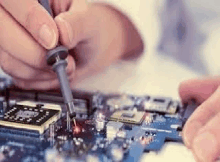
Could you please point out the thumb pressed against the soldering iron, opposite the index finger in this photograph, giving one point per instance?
(71, 24)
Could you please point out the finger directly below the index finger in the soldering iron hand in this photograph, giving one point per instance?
(19, 43)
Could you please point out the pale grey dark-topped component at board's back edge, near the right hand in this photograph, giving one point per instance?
(160, 104)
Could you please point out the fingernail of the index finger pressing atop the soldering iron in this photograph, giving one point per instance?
(47, 36)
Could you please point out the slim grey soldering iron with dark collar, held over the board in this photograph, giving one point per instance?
(56, 58)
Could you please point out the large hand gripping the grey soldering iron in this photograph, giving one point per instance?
(96, 35)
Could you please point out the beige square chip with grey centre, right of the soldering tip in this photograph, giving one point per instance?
(126, 116)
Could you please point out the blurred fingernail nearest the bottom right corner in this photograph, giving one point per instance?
(205, 145)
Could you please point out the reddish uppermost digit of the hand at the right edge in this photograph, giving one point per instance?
(199, 89)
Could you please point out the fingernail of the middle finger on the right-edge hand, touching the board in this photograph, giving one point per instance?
(190, 131)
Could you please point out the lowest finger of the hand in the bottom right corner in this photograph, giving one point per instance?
(206, 144)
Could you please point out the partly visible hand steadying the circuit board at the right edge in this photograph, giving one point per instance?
(201, 133)
